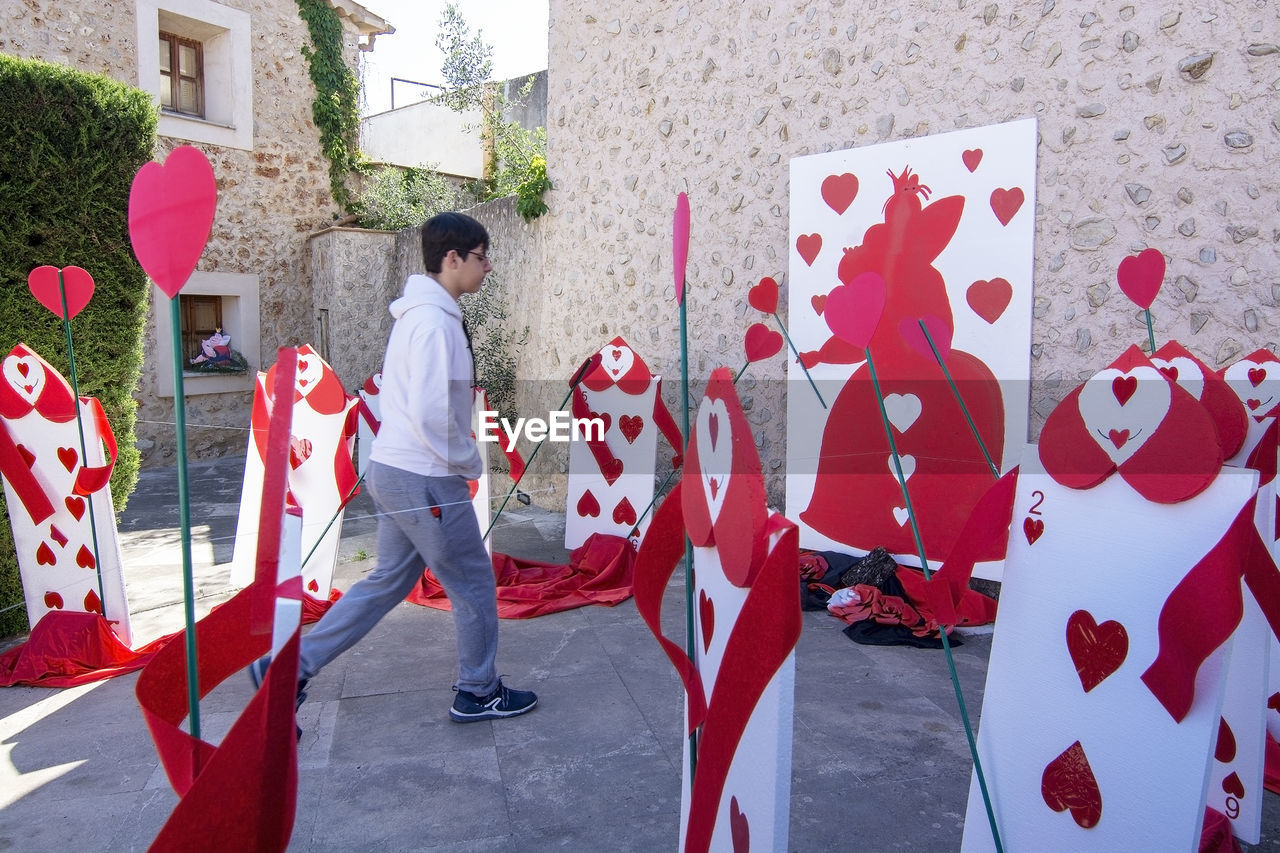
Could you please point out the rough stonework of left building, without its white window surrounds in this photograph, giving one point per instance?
(269, 199)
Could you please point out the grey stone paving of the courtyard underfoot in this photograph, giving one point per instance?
(880, 758)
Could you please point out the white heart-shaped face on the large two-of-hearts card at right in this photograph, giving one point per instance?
(1122, 410)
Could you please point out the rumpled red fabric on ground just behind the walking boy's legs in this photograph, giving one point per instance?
(600, 572)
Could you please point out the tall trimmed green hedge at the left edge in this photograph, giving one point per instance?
(74, 143)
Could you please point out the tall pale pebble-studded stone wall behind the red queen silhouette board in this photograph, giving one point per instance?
(1159, 126)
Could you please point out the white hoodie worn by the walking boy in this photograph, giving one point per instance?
(427, 387)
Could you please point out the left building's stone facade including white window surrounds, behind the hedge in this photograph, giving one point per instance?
(273, 179)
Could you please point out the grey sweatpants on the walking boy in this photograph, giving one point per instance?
(410, 539)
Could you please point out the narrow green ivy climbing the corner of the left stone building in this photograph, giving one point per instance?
(337, 107)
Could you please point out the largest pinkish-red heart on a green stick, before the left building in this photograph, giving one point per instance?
(171, 212)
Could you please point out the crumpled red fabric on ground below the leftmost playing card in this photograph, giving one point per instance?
(68, 649)
